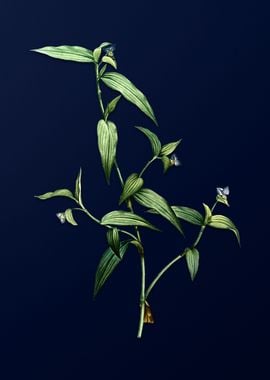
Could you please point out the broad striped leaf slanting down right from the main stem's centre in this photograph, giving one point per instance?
(150, 198)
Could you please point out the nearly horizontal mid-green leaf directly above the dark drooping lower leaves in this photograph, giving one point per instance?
(125, 218)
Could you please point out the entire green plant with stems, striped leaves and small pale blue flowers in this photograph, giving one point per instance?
(124, 227)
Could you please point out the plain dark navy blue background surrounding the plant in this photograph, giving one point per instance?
(204, 67)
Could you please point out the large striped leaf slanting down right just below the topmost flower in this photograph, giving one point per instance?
(130, 92)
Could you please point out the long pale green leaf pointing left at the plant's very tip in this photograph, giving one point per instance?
(68, 53)
